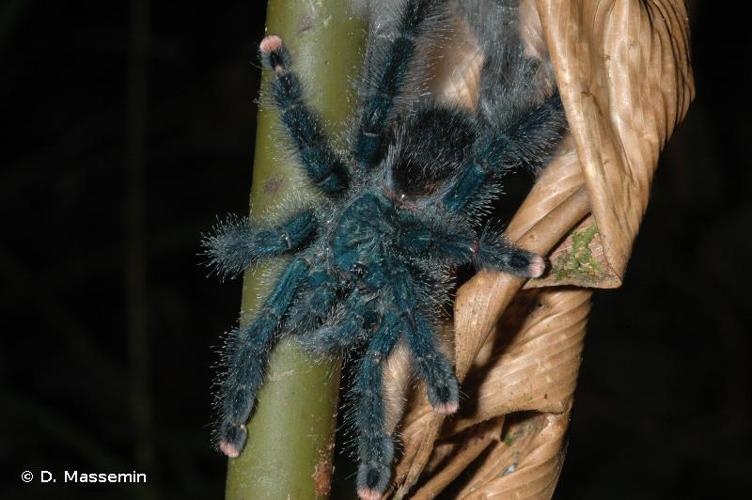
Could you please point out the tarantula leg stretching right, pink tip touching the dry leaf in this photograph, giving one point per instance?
(456, 245)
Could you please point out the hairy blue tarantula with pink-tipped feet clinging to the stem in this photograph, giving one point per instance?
(404, 210)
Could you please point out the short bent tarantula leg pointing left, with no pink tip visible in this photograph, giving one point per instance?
(236, 244)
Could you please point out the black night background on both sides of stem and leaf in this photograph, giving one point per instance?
(663, 402)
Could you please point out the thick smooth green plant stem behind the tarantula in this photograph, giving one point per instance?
(291, 432)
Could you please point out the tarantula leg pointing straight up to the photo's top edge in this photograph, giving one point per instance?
(390, 78)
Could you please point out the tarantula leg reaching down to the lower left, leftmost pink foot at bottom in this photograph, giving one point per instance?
(248, 353)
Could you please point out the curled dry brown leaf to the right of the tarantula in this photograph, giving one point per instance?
(623, 71)
